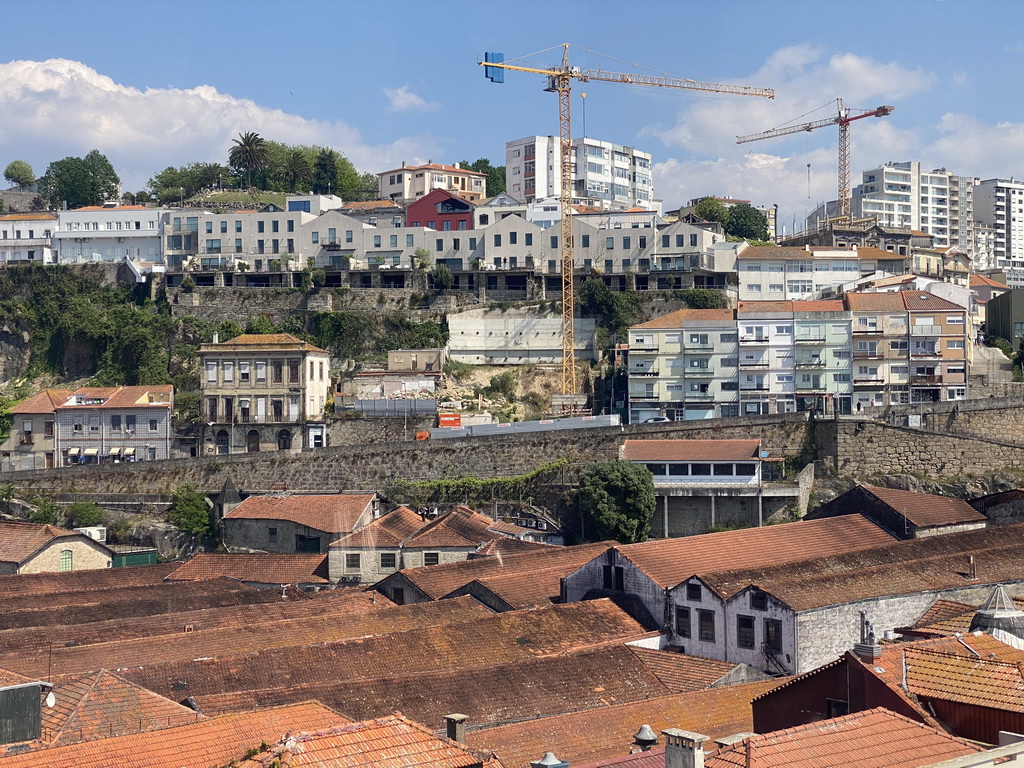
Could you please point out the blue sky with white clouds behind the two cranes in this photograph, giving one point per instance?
(153, 84)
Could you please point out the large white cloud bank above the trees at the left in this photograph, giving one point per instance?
(53, 109)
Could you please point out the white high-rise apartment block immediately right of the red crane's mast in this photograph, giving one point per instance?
(936, 202)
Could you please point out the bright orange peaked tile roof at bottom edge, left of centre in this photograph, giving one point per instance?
(388, 743)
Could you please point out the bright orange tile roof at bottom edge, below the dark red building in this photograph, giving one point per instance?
(874, 739)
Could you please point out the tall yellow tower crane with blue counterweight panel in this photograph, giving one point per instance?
(560, 81)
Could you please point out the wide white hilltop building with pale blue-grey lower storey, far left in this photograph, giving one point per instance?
(108, 234)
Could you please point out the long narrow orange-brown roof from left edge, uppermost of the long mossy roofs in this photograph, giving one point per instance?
(335, 623)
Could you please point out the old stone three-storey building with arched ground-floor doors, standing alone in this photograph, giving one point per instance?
(264, 393)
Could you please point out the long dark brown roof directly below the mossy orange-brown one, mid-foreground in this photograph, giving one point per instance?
(499, 694)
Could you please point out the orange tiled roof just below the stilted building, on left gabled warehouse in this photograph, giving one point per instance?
(670, 562)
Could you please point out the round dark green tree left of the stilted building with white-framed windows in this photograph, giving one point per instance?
(617, 498)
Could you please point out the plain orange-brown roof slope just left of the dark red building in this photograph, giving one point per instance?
(608, 733)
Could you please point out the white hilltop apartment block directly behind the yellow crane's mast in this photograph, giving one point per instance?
(606, 176)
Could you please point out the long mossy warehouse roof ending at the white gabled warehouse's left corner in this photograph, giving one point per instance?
(475, 644)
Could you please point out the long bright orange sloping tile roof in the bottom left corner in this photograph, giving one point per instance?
(211, 743)
